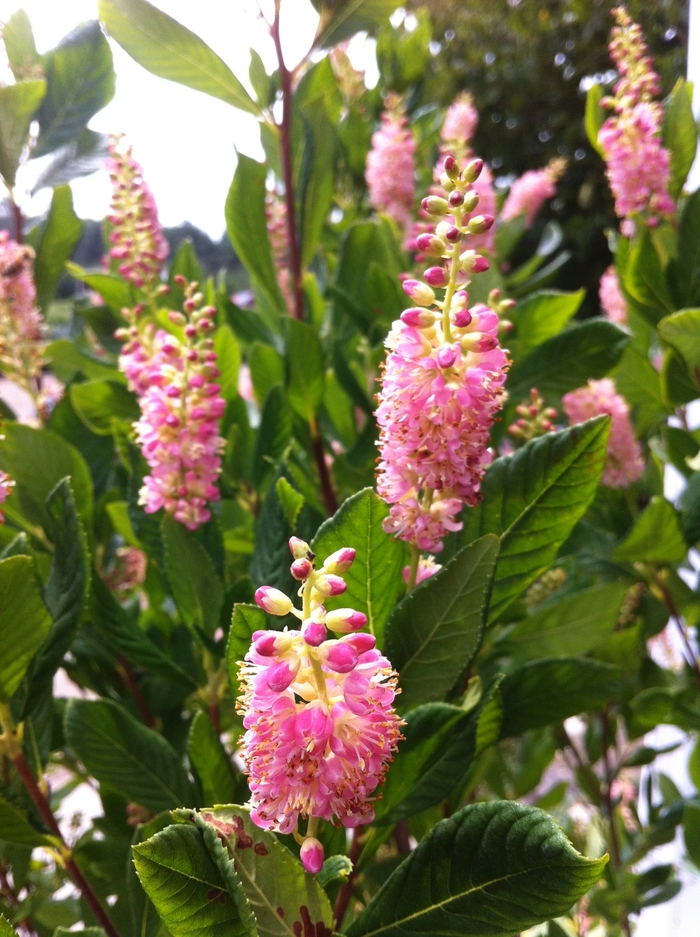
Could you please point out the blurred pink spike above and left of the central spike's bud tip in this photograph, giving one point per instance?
(390, 170)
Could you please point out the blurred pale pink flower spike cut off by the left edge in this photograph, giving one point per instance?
(21, 341)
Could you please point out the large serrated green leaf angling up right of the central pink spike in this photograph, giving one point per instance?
(533, 500)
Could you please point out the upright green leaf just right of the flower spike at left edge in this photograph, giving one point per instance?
(58, 240)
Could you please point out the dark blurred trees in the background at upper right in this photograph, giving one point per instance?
(528, 65)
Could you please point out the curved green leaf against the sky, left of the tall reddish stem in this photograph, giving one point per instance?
(247, 226)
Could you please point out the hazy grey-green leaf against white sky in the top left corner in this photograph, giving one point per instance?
(80, 81)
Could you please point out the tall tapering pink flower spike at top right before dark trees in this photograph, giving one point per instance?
(638, 165)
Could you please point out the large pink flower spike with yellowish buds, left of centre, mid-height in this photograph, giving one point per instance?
(175, 378)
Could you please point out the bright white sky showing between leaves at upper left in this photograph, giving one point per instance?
(184, 139)
